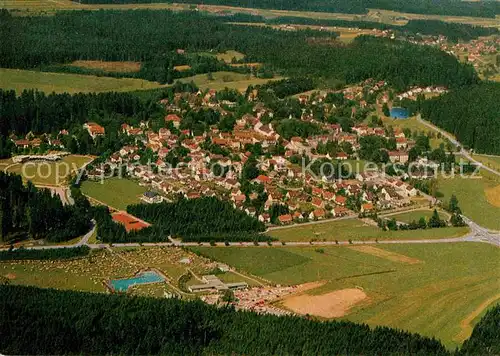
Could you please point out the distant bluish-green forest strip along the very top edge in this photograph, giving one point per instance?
(440, 7)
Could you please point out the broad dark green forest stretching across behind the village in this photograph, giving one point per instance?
(34, 42)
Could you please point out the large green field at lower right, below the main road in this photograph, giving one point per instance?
(435, 297)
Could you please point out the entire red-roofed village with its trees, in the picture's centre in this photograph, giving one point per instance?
(214, 161)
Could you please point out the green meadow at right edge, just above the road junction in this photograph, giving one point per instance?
(472, 199)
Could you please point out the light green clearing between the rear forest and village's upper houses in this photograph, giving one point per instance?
(223, 80)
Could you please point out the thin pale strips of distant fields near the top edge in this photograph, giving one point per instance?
(384, 16)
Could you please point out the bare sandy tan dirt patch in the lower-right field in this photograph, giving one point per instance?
(335, 304)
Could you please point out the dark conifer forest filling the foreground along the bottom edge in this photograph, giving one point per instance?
(45, 321)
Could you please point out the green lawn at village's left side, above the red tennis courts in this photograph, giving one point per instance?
(115, 192)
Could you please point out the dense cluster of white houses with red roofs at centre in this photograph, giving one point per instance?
(305, 196)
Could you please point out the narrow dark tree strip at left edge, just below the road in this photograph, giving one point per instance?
(46, 254)
